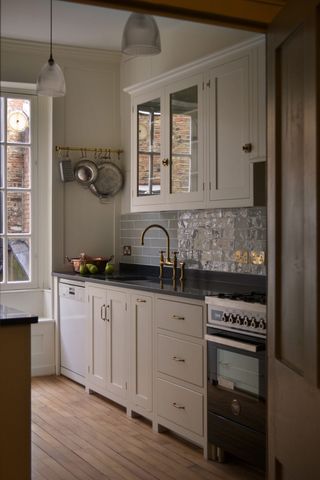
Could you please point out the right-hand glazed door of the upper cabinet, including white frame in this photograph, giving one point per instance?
(184, 173)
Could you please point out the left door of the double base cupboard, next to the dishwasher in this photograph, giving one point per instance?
(97, 336)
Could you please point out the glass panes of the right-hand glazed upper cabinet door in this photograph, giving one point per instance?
(184, 153)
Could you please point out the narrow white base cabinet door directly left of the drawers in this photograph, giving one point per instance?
(141, 351)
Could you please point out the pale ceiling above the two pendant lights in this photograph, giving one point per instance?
(73, 23)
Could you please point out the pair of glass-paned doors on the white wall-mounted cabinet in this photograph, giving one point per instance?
(168, 156)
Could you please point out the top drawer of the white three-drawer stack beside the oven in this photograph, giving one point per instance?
(180, 317)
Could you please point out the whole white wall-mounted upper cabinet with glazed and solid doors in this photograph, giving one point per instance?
(198, 134)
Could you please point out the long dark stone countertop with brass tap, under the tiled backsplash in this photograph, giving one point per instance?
(197, 285)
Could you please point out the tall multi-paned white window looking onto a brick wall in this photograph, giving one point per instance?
(17, 189)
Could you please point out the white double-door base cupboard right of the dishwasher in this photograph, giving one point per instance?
(108, 360)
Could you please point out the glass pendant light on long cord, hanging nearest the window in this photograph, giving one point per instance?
(51, 81)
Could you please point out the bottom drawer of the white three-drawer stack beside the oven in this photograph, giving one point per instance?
(181, 406)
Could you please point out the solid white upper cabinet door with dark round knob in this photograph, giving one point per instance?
(229, 131)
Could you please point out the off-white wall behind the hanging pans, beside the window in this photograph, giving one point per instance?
(87, 116)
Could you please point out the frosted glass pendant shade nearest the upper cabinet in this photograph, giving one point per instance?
(141, 36)
